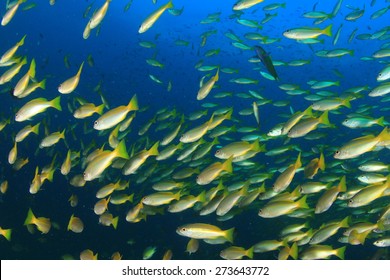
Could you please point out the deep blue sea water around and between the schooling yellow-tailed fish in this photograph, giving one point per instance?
(54, 32)
